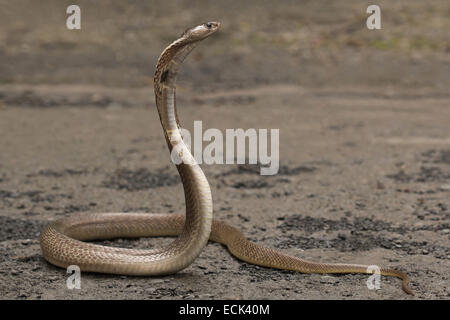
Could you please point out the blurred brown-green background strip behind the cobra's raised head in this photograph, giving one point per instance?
(309, 43)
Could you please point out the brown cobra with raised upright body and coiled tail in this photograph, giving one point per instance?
(62, 241)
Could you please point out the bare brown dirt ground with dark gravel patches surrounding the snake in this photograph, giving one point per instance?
(364, 119)
